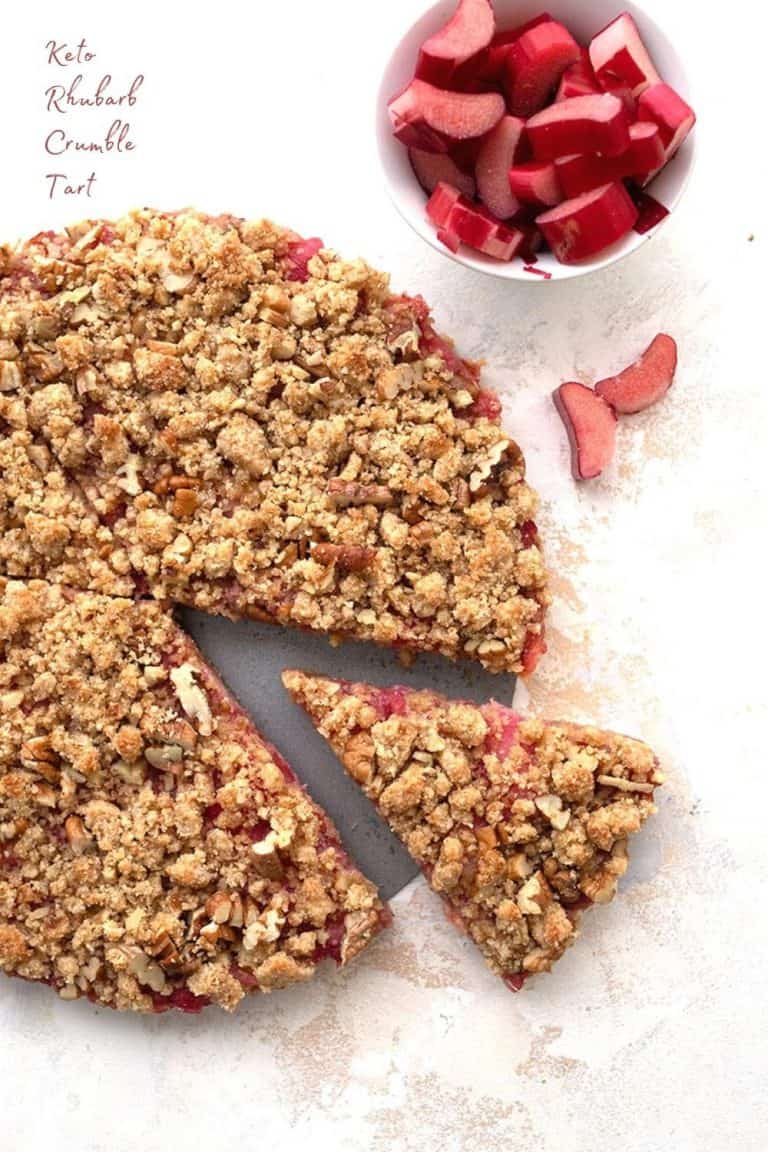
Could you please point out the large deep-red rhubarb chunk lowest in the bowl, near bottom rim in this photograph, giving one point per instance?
(589, 224)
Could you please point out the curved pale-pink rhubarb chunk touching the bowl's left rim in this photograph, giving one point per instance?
(427, 118)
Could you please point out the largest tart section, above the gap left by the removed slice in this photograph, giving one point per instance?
(268, 431)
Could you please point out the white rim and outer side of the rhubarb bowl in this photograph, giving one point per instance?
(515, 271)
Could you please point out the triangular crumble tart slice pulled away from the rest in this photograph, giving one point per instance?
(519, 824)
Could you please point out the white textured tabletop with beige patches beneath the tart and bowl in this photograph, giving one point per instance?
(650, 1035)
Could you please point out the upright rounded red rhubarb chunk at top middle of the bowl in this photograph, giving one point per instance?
(535, 64)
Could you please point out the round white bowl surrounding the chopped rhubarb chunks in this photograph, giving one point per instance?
(583, 19)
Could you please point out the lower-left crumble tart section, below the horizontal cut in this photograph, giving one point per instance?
(155, 852)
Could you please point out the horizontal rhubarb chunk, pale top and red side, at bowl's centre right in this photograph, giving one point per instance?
(584, 124)
